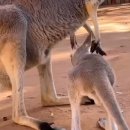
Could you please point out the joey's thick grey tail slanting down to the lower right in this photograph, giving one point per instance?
(107, 96)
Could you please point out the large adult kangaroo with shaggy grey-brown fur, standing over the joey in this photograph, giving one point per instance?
(29, 29)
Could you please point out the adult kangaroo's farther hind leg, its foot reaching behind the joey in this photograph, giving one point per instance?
(48, 92)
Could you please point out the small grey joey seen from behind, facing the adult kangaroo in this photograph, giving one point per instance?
(92, 76)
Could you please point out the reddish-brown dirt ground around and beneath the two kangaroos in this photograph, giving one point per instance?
(115, 34)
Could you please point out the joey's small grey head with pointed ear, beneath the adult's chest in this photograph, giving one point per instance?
(81, 51)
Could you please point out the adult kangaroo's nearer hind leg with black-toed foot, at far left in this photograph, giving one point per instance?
(13, 58)
